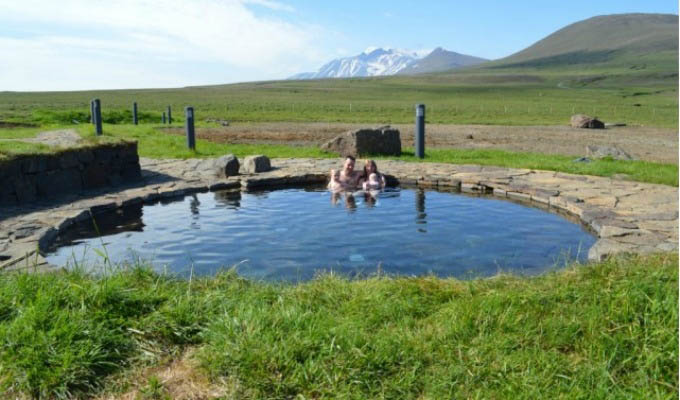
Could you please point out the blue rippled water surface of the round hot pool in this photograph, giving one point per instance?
(292, 234)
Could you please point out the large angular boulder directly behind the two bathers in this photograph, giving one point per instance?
(383, 140)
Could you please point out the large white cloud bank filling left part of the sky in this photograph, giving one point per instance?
(146, 43)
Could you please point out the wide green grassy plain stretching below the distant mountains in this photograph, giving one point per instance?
(520, 96)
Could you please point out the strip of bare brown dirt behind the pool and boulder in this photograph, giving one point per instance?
(651, 144)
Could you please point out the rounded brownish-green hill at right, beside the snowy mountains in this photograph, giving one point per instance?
(608, 39)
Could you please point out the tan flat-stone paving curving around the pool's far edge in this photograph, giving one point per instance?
(626, 216)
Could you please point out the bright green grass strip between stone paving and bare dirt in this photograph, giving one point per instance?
(153, 143)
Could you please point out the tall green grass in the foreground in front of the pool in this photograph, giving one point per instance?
(607, 330)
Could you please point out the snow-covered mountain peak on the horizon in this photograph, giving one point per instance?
(372, 62)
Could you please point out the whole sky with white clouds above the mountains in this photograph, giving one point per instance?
(102, 44)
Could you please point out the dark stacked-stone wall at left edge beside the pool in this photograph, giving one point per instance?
(27, 178)
